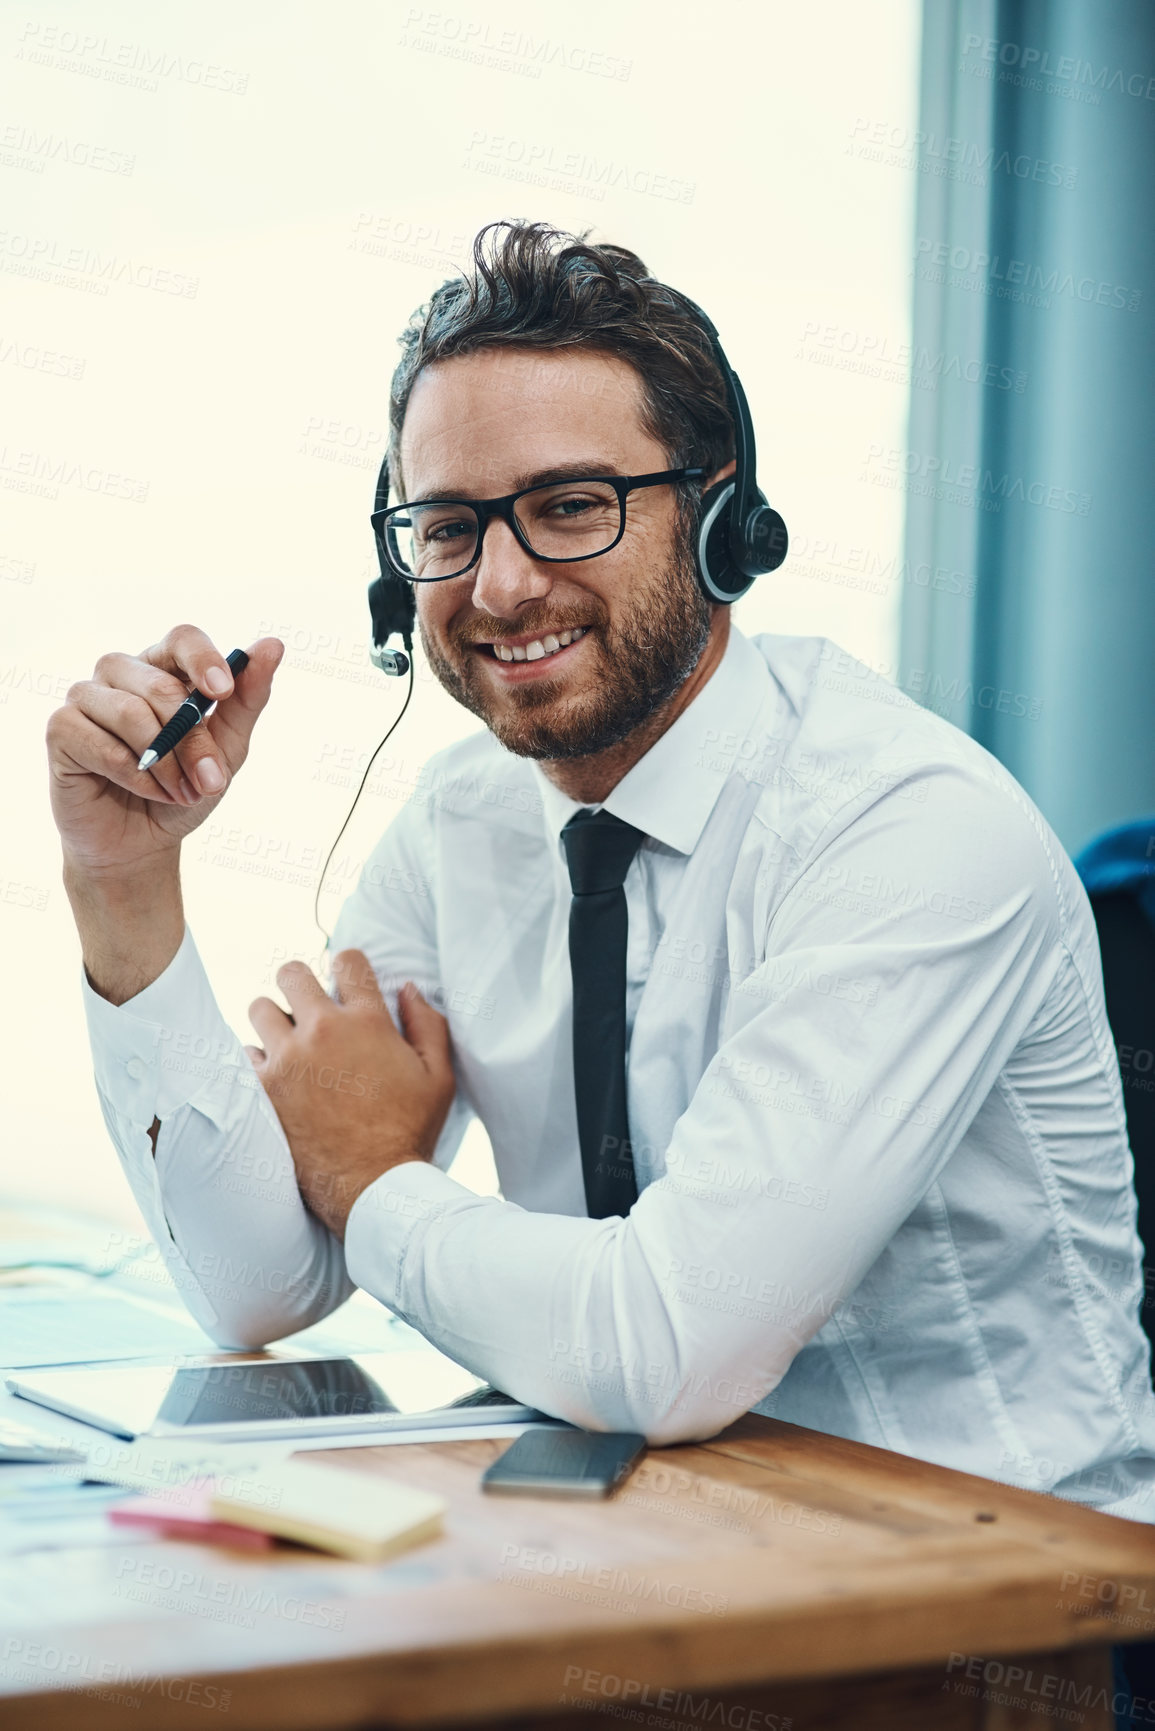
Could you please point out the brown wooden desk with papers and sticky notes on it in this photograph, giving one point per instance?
(770, 1576)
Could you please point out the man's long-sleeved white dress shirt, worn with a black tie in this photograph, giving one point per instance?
(886, 1181)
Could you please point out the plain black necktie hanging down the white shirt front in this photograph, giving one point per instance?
(600, 849)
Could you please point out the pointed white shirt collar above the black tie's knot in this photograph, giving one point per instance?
(676, 785)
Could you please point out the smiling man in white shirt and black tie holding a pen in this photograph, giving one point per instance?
(872, 1105)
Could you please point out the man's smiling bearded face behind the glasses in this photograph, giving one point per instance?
(496, 640)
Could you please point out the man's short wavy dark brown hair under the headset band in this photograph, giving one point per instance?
(534, 286)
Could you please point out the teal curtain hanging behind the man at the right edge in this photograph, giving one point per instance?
(1029, 468)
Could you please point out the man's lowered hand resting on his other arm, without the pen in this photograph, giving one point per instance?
(354, 1095)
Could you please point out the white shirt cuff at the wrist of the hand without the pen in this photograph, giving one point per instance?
(385, 1218)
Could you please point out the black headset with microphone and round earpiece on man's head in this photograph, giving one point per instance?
(740, 536)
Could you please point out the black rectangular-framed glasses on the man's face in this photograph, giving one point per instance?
(429, 541)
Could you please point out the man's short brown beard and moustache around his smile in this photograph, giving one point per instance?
(642, 662)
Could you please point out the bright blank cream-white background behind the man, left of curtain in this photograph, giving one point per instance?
(214, 224)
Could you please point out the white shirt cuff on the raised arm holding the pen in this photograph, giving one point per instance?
(167, 1046)
